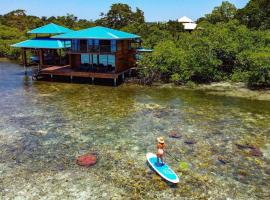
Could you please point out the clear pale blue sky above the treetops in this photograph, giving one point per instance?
(155, 10)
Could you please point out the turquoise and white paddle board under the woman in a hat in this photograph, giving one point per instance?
(164, 171)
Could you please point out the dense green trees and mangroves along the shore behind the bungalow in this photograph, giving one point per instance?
(229, 45)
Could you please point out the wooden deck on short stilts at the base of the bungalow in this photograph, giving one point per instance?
(69, 72)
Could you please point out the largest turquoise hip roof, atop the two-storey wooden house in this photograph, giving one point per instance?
(98, 32)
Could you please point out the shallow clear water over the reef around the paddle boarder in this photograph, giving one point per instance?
(44, 126)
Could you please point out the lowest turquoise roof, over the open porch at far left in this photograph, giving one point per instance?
(43, 43)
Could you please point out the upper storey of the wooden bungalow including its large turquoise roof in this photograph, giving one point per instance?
(100, 40)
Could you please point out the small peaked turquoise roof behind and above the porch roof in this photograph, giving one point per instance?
(50, 29)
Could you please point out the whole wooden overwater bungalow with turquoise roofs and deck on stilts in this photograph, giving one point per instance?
(96, 52)
